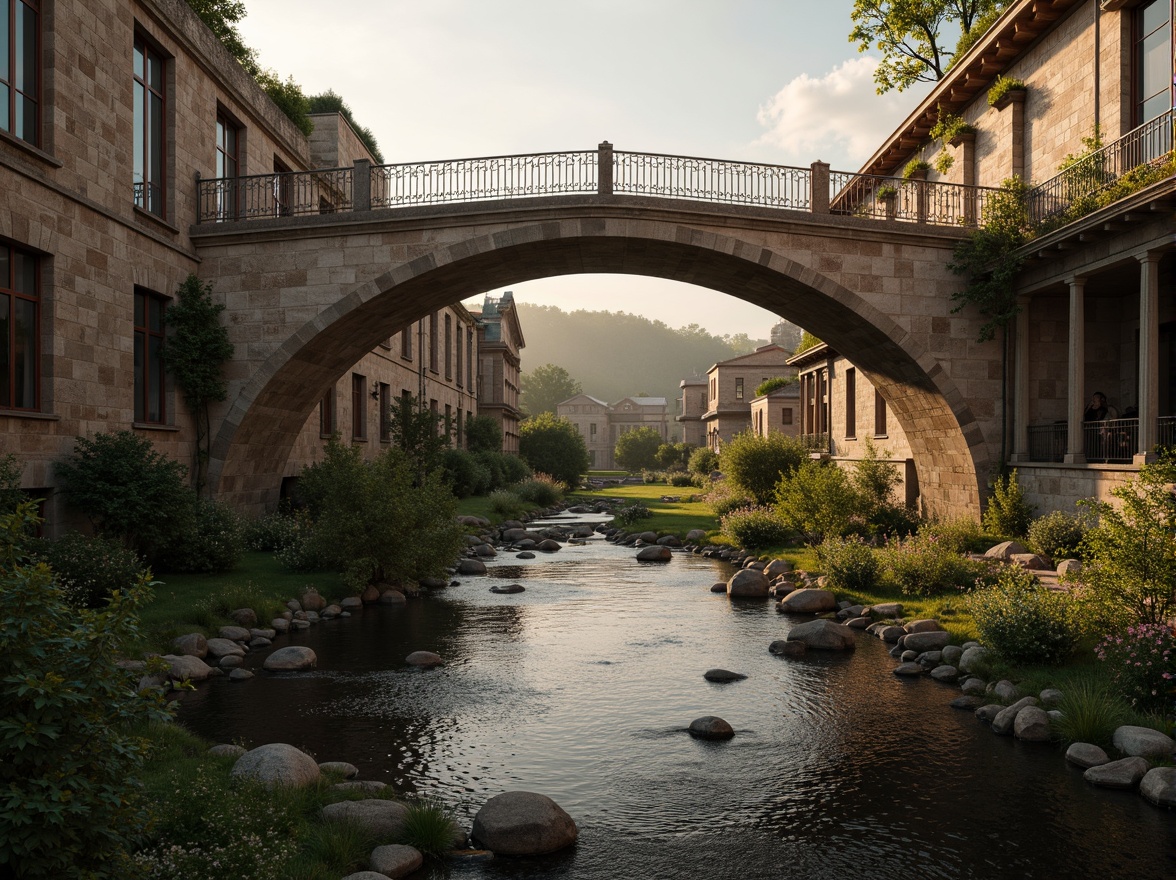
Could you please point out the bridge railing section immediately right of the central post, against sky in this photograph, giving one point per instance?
(716, 181)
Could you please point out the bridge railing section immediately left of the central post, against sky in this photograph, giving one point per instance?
(500, 177)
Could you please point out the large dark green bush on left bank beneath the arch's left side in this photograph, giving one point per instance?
(378, 521)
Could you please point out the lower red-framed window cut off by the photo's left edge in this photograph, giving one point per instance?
(19, 330)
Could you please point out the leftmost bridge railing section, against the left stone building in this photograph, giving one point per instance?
(258, 197)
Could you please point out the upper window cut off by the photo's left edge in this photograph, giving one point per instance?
(21, 86)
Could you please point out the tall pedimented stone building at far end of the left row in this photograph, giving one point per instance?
(499, 342)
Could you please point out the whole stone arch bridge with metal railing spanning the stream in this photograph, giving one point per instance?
(318, 268)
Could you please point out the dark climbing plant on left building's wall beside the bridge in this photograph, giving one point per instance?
(196, 354)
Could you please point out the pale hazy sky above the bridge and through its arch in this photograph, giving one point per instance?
(757, 81)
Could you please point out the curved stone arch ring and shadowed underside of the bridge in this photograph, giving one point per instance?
(257, 432)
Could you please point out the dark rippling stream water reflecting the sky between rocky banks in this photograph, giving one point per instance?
(583, 688)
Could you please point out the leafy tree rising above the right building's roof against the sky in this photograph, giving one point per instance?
(910, 35)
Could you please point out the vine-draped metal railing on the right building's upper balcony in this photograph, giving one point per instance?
(1150, 145)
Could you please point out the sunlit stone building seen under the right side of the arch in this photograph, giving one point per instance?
(843, 415)
